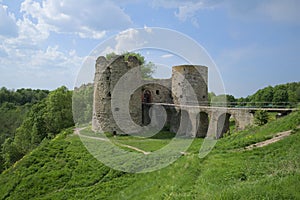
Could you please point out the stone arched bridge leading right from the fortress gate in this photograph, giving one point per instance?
(208, 121)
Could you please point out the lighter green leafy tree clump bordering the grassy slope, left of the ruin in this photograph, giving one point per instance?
(46, 118)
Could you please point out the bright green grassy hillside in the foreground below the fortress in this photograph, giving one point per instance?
(63, 169)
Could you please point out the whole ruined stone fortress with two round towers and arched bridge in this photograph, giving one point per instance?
(187, 111)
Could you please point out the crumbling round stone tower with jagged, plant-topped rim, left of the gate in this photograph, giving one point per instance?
(108, 73)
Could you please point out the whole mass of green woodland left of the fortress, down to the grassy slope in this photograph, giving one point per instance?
(29, 116)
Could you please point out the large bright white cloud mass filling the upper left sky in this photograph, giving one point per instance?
(30, 60)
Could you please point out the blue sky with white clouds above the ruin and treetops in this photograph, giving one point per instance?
(43, 43)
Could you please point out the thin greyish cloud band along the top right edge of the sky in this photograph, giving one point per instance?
(275, 10)
